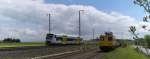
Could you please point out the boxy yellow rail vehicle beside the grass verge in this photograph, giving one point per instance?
(108, 42)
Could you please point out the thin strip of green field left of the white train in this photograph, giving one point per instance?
(4, 45)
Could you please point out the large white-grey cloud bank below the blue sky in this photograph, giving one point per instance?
(28, 20)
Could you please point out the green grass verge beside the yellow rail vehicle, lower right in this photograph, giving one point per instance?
(124, 53)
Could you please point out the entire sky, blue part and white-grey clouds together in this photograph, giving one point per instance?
(28, 19)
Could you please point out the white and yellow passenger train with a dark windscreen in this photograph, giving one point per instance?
(53, 39)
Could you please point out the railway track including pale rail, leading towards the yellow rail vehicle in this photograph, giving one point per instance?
(78, 54)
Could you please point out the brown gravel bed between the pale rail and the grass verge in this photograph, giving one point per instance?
(90, 54)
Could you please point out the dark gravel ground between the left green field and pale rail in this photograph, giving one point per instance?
(29, 53)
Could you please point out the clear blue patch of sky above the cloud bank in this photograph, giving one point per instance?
(126, 7)
